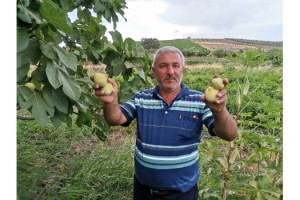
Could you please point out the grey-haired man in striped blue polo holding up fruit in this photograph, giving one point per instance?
(170, 118)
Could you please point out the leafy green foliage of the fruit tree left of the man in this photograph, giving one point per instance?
(52, 51)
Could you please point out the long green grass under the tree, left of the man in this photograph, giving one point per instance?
(70, 163)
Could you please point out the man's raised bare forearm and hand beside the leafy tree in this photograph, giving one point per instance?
(112, 112)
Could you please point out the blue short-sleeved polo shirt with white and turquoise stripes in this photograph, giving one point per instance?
(166, 151)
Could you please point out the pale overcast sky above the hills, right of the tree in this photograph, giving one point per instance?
(173, 19)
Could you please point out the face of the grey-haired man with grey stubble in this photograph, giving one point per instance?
(168, 71)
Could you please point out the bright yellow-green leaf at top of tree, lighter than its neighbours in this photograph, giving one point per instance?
(55, 16)
